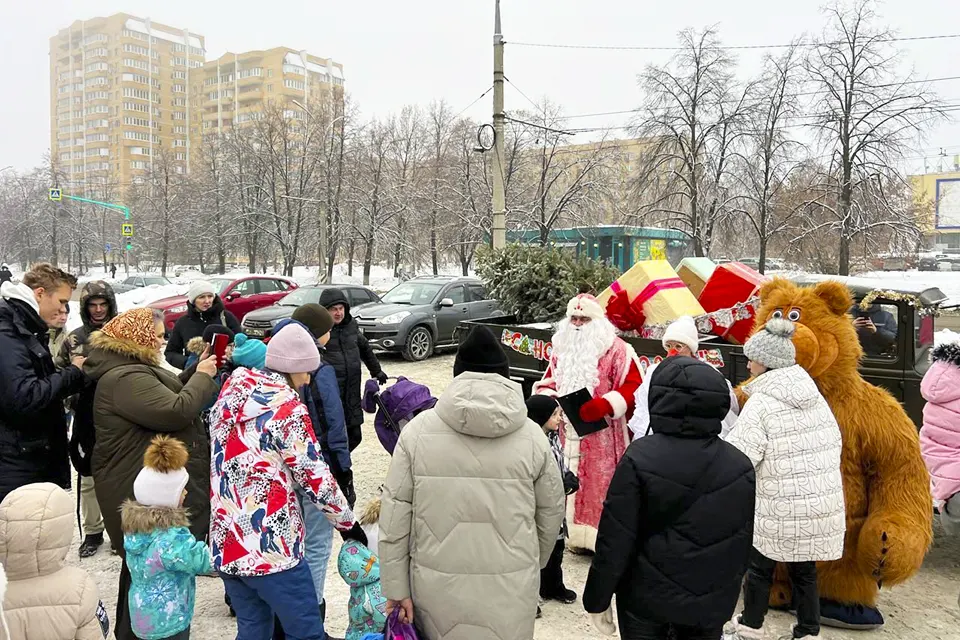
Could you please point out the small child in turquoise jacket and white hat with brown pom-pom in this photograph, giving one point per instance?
(163, 556)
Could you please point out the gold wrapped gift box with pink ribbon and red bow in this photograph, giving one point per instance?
(656, 294)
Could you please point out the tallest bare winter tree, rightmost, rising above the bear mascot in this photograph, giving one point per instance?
(867, 115)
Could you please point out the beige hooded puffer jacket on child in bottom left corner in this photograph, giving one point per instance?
(45, 600)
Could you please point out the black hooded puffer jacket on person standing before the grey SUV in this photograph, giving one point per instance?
(346, 349)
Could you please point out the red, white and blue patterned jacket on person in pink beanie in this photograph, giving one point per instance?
(263, 447)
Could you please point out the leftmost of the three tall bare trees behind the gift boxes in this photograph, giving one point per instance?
(693, 116)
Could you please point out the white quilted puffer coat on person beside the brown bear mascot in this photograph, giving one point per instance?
(787, 429)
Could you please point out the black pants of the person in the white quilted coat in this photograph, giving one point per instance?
(756, 594)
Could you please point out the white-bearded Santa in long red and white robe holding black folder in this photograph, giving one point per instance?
(588, 354)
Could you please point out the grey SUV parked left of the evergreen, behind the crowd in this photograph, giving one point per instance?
(419, 316)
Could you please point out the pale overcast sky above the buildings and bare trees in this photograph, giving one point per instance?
(398, 52)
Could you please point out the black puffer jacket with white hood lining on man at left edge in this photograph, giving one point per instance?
(33, 424)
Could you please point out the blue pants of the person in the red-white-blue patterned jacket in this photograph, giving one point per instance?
(288, 594)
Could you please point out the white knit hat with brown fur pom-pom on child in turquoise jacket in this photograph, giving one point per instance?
(163, 478)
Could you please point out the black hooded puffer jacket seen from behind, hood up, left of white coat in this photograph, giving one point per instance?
(665, 565)
